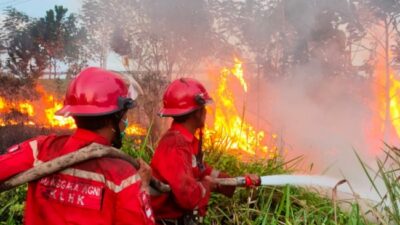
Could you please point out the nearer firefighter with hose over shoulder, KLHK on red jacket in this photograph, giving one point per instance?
(99, 191)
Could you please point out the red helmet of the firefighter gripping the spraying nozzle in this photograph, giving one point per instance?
(184, 96)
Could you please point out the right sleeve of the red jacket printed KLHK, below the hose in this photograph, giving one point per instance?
(133, 206)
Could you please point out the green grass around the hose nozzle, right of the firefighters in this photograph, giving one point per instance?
(273, 205)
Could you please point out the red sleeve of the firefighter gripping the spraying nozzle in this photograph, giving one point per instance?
(176, 168)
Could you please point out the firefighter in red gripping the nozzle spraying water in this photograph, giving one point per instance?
(178, 159)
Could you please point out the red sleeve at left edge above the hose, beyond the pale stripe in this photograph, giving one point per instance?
(17, 159)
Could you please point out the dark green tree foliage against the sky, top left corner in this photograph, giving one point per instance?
(34, 45)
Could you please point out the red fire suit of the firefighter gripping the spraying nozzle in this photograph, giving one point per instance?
(174, 162)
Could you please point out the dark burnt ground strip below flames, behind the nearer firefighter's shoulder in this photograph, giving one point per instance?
(14, 134)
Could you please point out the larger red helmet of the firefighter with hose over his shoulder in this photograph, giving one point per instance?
(96, 92)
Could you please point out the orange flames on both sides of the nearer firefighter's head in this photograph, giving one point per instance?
(41, 112)
